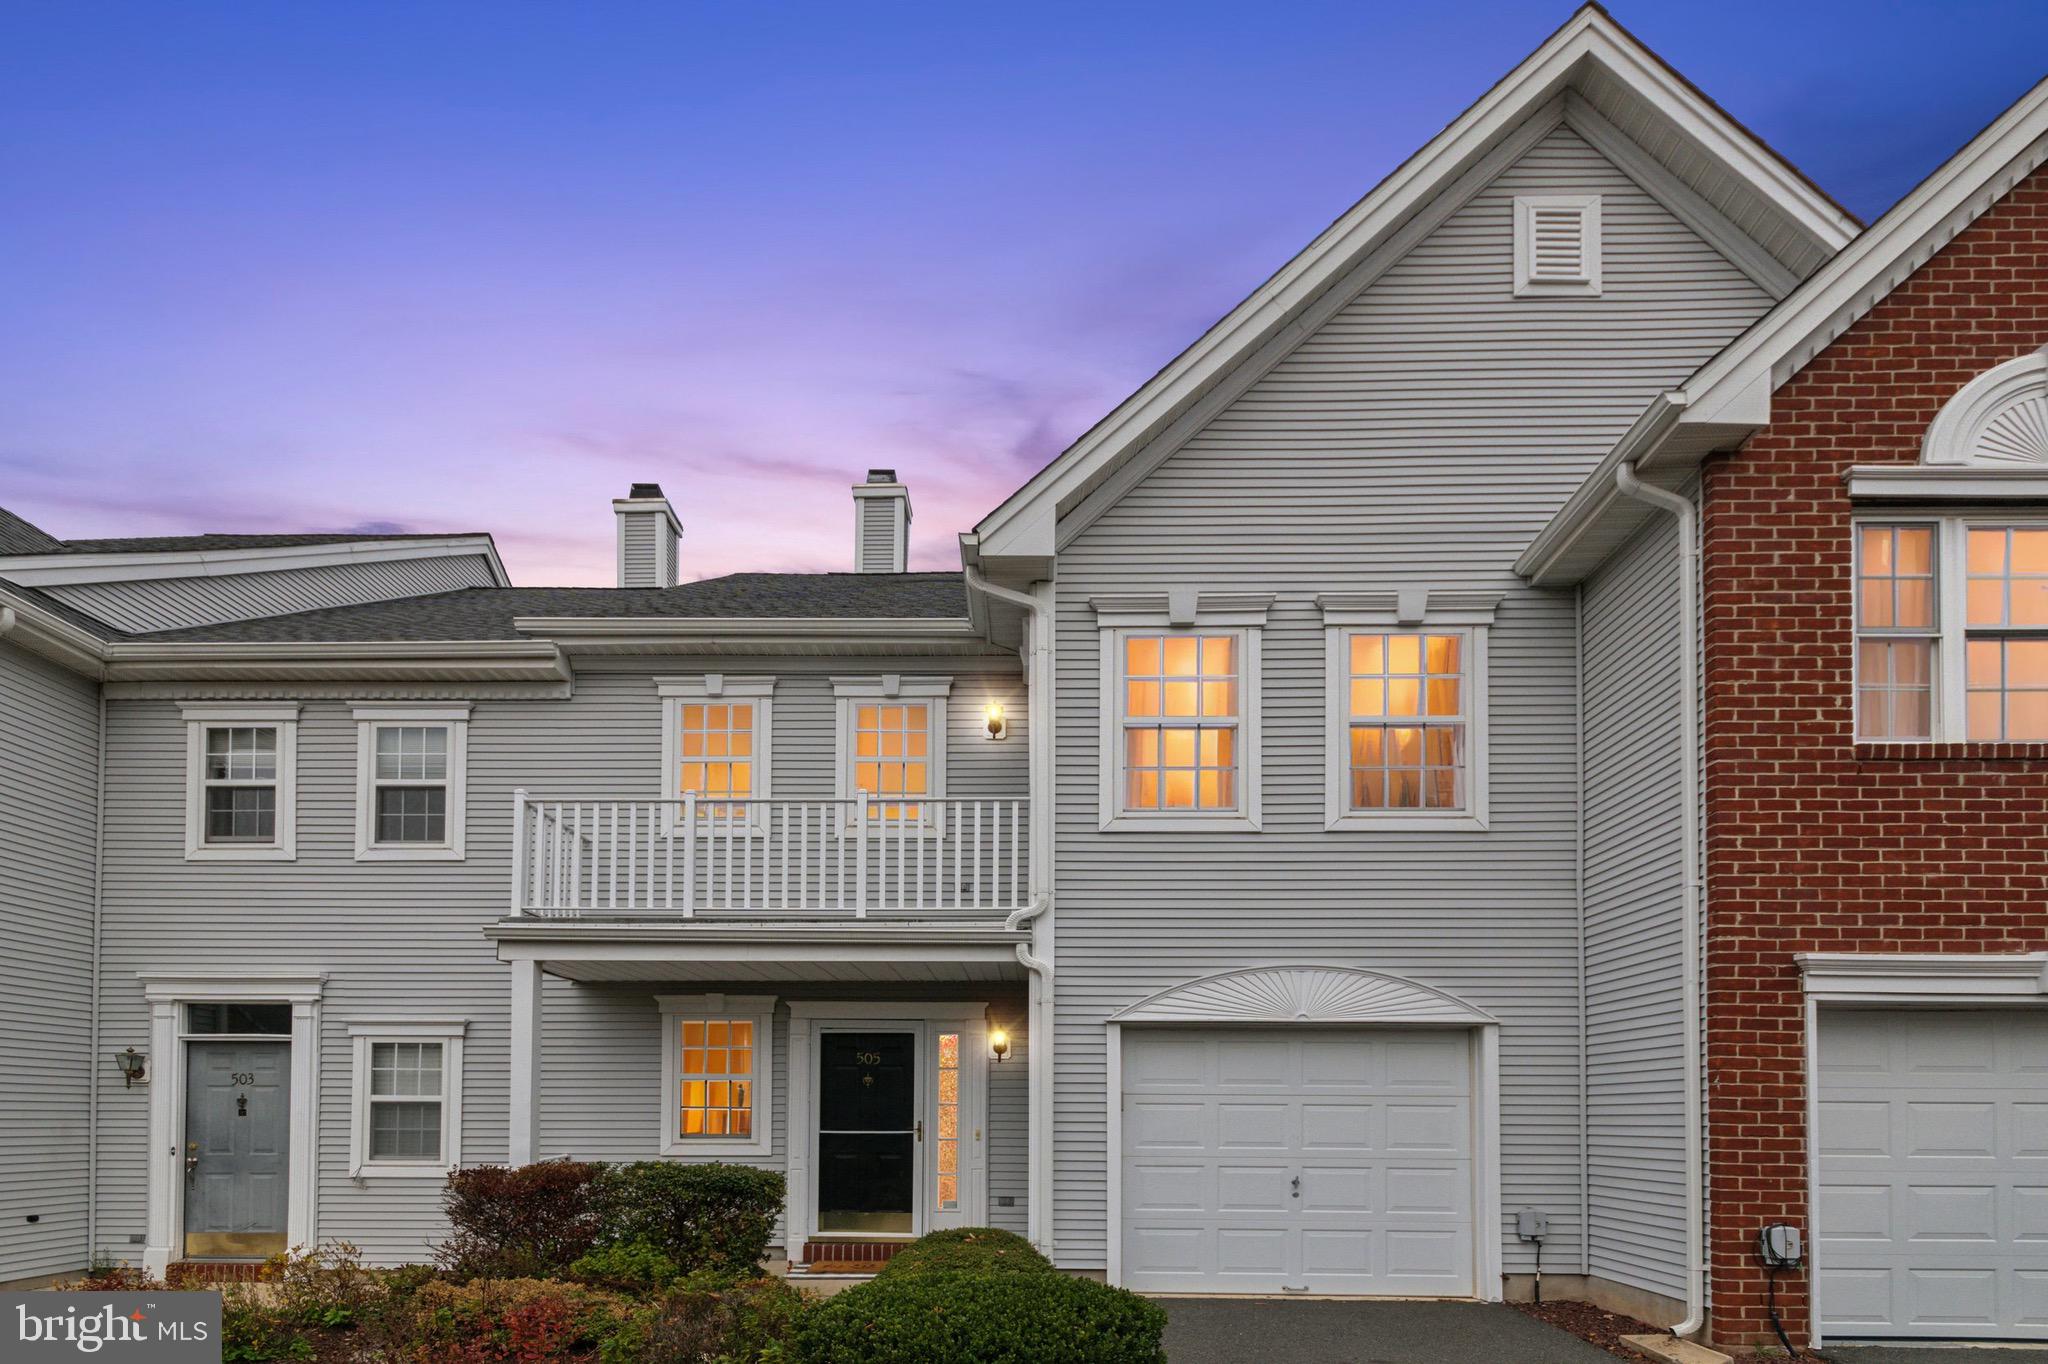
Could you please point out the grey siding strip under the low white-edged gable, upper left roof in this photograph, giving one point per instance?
(175, 603)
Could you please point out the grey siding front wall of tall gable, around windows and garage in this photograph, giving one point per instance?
(1418, 439)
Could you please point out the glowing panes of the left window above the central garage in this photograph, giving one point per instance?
(1181, 704)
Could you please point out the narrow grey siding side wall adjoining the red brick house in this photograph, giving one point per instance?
(1633, 919)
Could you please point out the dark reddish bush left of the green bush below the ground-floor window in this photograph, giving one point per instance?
(519, 1222)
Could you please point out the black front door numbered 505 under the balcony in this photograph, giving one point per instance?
(867, 1132)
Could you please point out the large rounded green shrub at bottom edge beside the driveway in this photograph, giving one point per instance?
(986, 1318)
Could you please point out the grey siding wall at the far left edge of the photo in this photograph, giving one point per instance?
(48, 794)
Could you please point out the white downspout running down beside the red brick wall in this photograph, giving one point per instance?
(1689, 683)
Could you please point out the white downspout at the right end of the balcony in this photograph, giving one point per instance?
(1037, 955)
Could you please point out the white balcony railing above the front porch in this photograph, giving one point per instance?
(855, 859)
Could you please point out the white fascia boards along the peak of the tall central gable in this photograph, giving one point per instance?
(1021, 527)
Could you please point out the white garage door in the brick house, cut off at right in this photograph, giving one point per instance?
(1932, 1211)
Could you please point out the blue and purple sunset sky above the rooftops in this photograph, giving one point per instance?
(445, 267)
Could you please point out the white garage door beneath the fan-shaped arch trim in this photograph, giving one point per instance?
(1297, 1162)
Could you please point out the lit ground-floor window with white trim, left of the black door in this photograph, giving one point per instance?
(716, 1093)
